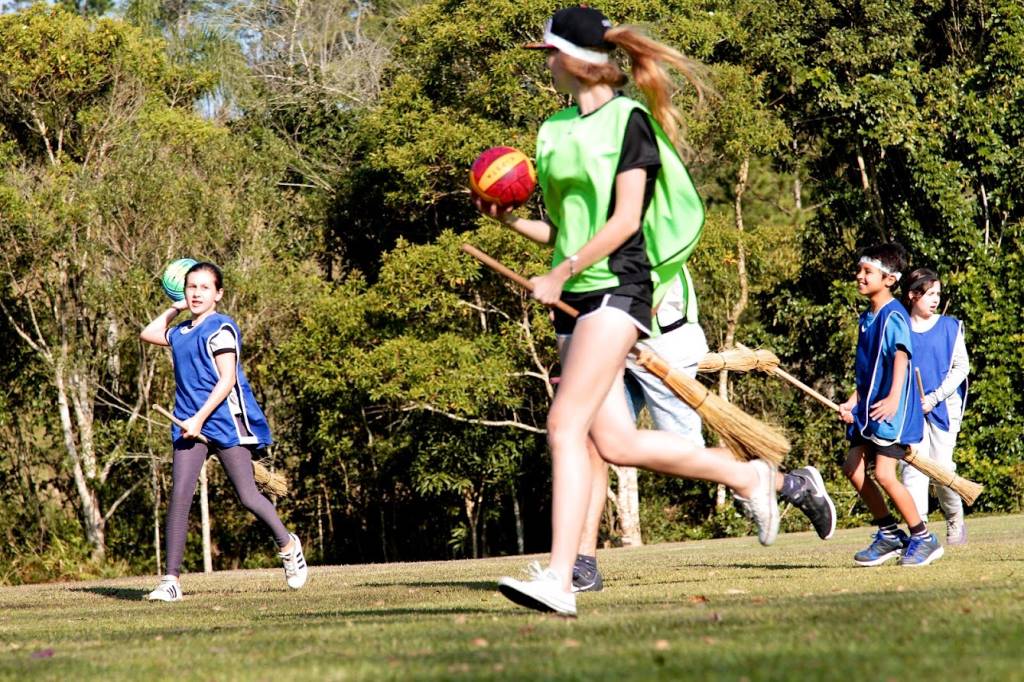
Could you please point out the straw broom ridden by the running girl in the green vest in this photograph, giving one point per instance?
(748, 438)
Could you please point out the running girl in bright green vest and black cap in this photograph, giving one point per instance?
(623, 218)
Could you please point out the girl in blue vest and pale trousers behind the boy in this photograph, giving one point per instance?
(941, 357)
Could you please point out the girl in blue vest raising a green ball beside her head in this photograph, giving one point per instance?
(212, 399)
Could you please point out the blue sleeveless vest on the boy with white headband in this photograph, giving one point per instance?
(878, 340)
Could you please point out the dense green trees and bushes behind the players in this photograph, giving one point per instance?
(320, 153)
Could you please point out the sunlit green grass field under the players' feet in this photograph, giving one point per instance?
(713, 610)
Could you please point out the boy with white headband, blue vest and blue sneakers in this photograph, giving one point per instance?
(885, 414)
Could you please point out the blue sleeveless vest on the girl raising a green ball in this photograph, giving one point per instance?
(237, 421)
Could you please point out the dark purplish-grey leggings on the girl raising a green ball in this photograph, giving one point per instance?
(238, 462)
